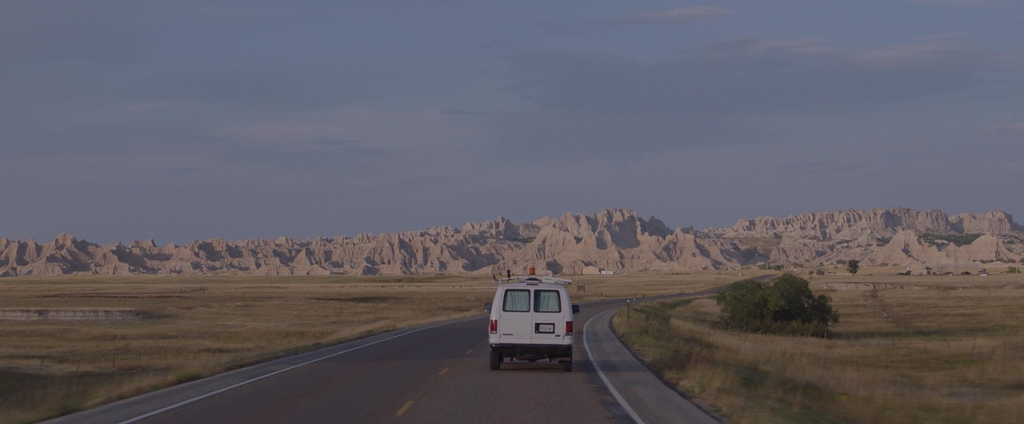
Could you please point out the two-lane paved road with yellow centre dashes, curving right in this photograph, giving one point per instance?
(429, 374)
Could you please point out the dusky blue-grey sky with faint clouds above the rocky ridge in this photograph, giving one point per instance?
(185, 120)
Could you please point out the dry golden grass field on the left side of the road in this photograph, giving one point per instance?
(109, 338)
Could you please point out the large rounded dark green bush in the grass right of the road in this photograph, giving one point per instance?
(785, 306)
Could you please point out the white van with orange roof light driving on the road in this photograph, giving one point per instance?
(531, 320)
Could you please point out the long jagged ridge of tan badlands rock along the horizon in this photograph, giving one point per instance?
(615, 239)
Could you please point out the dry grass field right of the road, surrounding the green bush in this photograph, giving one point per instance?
(908, 350)
